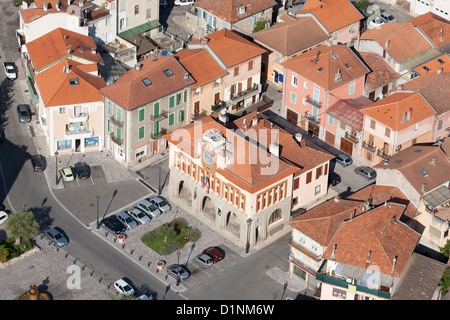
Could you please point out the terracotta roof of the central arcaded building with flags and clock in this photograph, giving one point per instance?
(248, 170)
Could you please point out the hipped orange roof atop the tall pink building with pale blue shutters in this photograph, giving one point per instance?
(331, 60)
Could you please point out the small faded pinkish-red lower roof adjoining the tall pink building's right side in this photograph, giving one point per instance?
(348, 111)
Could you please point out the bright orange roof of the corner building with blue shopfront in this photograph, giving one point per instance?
(56, 88)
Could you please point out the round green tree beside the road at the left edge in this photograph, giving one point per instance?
(22, 225)
